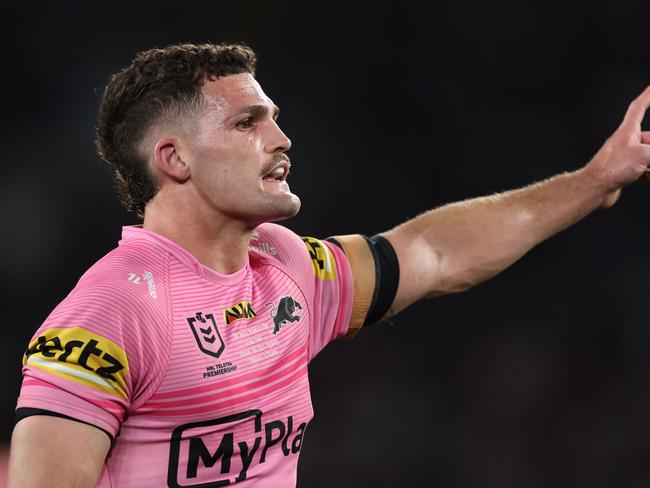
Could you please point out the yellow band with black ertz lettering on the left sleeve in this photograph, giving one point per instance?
(79, 355)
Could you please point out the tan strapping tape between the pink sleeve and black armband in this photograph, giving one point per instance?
(362, 265)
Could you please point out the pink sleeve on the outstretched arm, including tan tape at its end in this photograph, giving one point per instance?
(338, 282)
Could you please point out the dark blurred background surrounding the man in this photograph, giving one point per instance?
(538, 378)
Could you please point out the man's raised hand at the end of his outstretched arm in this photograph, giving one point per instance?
(624, 157)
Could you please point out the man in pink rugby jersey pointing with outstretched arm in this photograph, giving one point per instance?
(180, 358)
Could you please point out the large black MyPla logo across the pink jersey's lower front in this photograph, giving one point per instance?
(216, 457)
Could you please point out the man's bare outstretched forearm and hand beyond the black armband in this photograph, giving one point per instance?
(456, 246)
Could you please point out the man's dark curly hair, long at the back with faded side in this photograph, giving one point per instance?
(159, 83)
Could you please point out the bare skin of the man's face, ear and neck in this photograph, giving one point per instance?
(213, 190)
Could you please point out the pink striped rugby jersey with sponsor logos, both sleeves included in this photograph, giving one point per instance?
(200, 378)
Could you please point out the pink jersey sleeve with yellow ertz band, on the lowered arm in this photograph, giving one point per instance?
(87, 361)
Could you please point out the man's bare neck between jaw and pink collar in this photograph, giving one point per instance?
(218, 243)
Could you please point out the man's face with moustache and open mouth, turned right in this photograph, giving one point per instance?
(236, 155)
